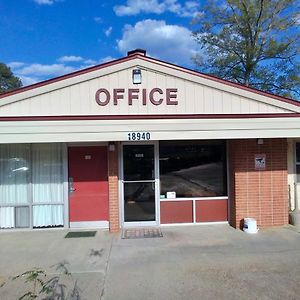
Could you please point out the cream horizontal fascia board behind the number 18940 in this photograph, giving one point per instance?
(160, 129)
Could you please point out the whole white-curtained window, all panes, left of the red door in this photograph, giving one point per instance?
(31, 185)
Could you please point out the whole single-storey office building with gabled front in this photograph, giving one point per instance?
(139, 142)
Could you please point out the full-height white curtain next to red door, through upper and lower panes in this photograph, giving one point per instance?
(47, 184)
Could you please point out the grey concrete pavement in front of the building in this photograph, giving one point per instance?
(192, 262)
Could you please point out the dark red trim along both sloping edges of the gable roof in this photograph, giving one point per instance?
(154, 60)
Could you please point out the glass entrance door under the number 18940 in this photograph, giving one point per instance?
(139, 184)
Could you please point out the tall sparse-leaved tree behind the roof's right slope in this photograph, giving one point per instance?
(251, 42)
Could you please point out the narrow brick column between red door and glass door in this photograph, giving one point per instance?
(113, 176)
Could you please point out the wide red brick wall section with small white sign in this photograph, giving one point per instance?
(260, 194)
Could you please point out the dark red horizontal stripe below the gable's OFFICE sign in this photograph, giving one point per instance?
(149, 117)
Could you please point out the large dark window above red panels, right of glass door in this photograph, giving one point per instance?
(193, 168)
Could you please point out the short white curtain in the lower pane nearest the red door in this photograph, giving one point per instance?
(48, 215)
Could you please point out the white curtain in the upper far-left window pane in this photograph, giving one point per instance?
(14, 173)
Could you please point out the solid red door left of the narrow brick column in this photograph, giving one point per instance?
(88, 184)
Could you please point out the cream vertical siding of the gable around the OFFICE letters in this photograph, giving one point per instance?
(193, 98)
